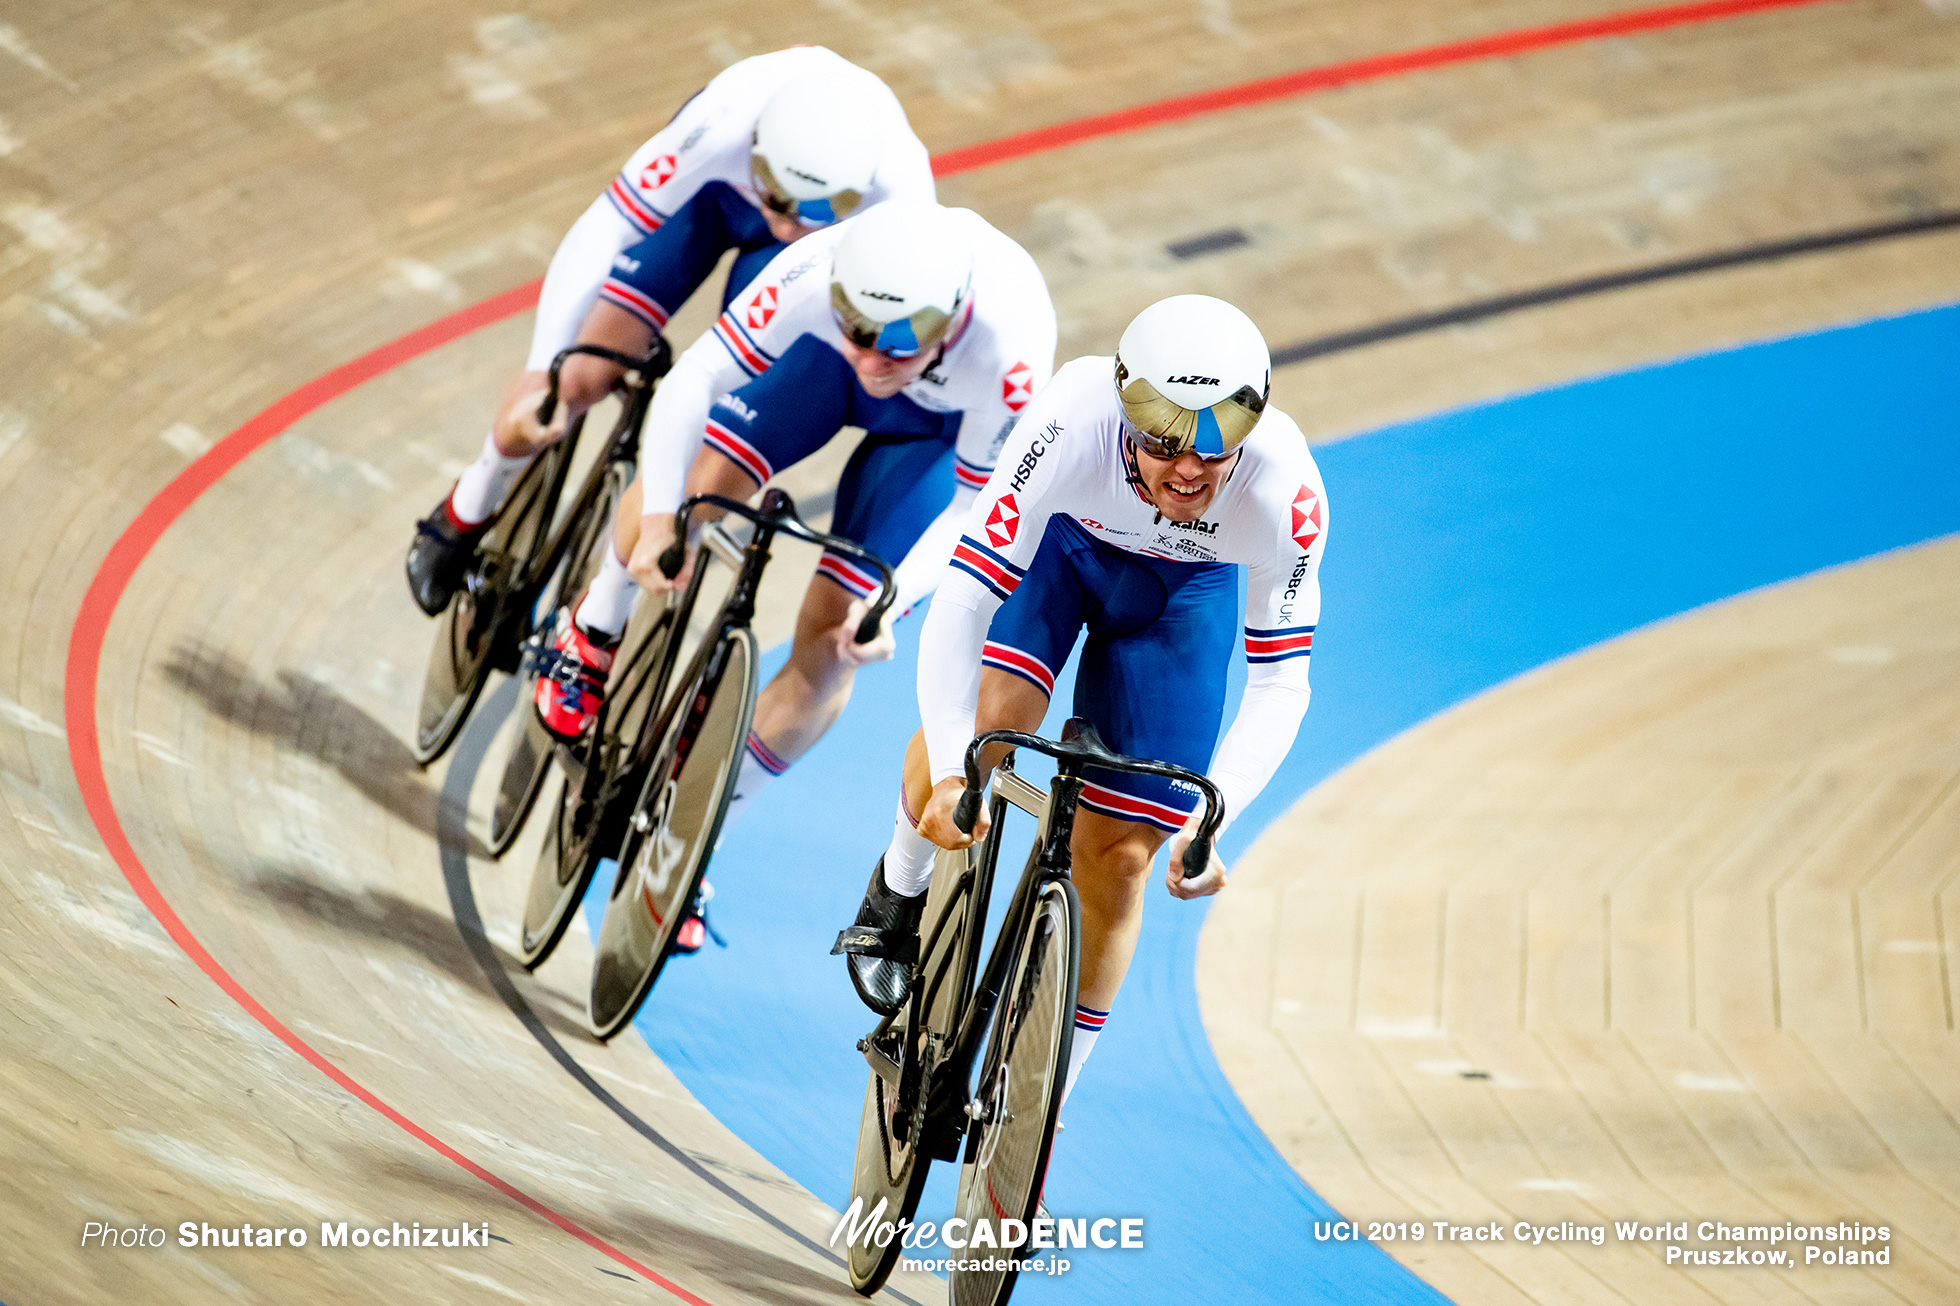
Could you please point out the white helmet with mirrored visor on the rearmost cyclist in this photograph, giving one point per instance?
(816, 148)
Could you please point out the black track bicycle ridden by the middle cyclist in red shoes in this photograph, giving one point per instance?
(650, 785)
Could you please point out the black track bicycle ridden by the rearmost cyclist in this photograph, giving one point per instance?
(526, 564)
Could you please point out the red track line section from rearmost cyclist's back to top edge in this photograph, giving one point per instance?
(1332, 75)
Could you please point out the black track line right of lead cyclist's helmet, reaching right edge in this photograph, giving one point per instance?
(1563, 291)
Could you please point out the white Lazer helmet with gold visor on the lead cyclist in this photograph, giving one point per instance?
(1195, 376)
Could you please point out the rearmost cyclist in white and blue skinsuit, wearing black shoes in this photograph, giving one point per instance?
(771, 150)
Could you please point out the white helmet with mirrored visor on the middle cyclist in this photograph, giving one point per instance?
(903, 277)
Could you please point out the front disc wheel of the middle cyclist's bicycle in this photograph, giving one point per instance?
(683, 807)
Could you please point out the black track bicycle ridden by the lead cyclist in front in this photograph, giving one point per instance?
(932, 1085)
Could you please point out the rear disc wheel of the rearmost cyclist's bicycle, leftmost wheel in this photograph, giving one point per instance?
(485, 611)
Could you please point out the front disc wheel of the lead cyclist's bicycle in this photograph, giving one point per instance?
(1020, 1087)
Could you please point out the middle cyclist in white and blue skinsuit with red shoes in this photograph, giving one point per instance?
(920, 325)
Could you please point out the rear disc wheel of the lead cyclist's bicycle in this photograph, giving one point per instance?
(889, 1168)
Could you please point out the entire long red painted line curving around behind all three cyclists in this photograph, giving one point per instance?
(121, 566)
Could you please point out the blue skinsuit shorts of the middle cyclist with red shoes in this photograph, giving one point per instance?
(897, 481)
